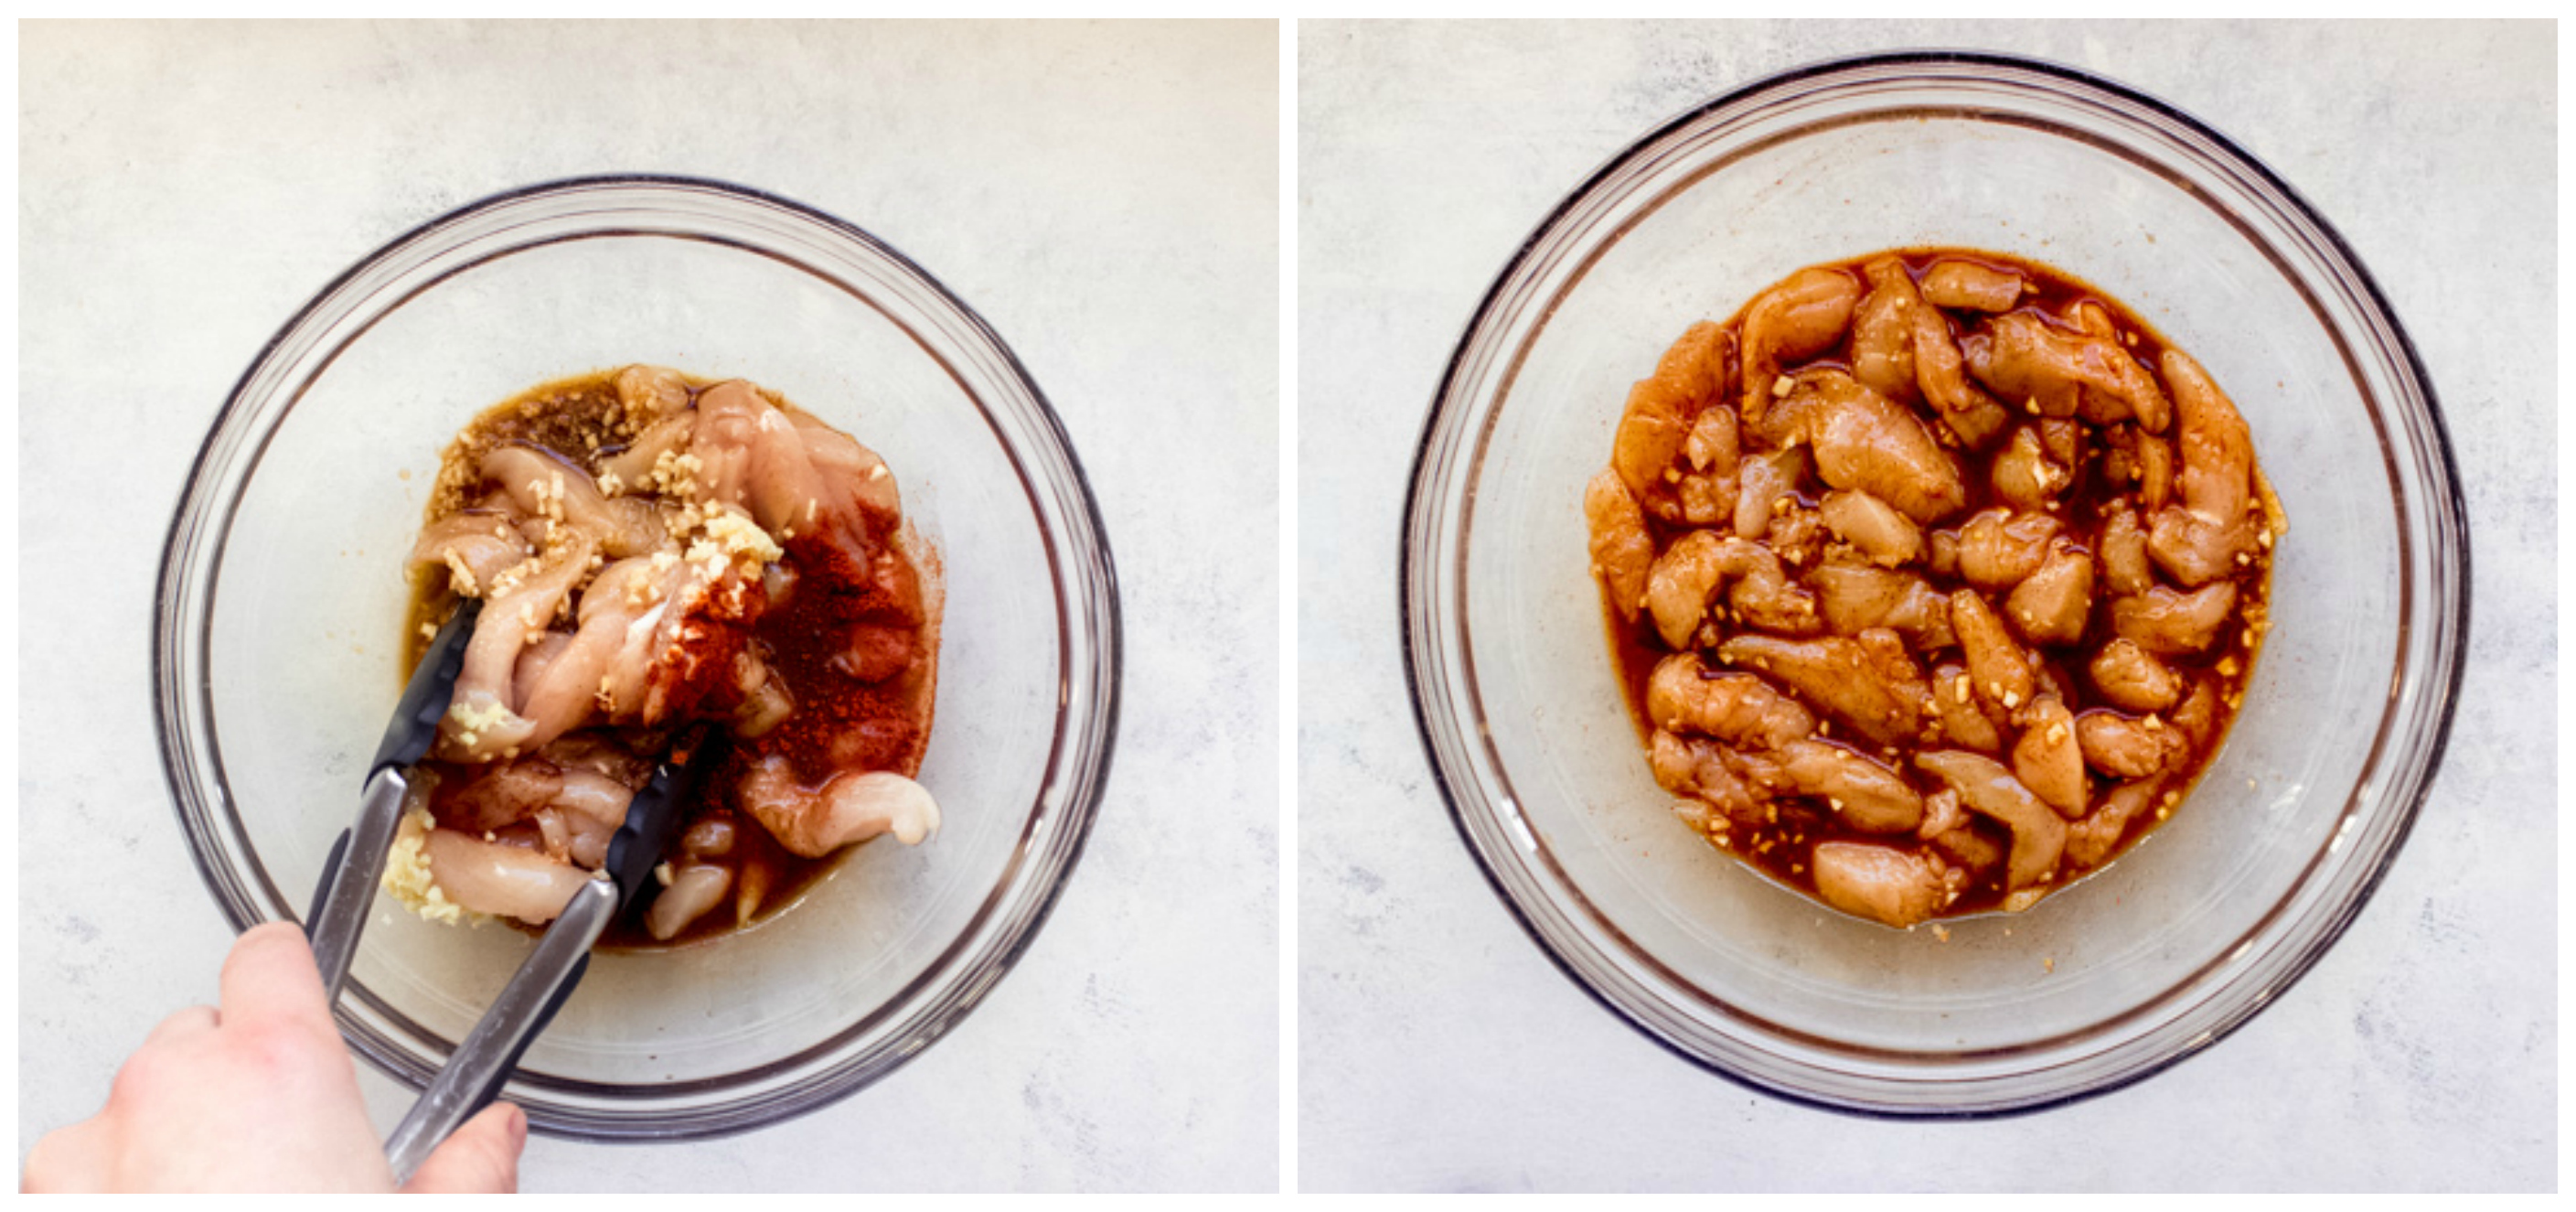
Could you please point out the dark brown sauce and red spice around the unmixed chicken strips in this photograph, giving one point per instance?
(838, 721)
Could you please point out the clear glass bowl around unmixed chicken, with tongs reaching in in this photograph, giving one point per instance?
(282, 594)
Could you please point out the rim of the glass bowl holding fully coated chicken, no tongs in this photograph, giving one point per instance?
(2376, 306)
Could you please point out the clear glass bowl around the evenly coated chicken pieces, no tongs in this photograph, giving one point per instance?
(2204, 922)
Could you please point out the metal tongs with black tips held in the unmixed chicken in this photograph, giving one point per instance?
(527, 1004)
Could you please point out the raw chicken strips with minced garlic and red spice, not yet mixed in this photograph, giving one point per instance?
(663, 553)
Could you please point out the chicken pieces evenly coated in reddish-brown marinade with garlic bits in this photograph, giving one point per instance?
(1933, 576)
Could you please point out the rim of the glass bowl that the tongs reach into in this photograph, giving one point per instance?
(1088, 620)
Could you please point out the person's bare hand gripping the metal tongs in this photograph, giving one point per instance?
(259, 1097)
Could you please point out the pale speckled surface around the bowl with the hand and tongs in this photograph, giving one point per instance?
(1104, 197)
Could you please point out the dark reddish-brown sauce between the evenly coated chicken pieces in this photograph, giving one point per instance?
(1784, 845)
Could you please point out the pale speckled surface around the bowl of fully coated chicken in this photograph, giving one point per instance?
(1439, 1046)
